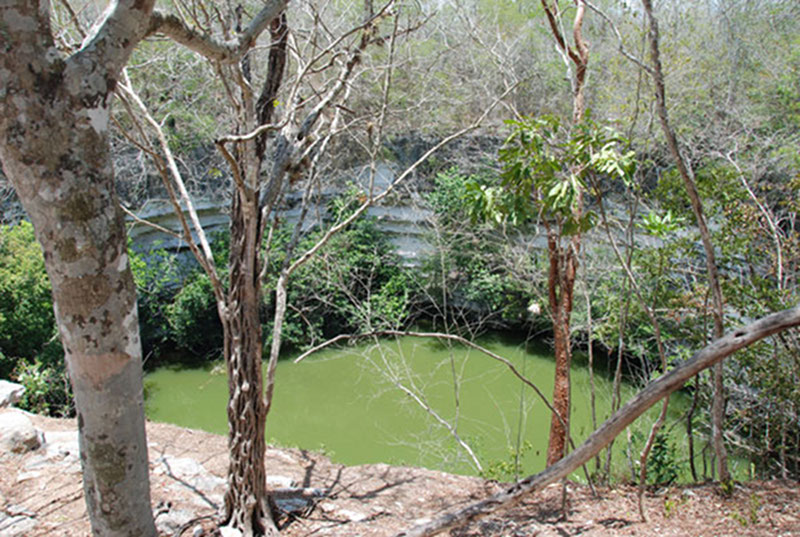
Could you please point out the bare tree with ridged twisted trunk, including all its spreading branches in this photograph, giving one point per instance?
(273, 148)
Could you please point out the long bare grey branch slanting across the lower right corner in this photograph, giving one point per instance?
(635, 407)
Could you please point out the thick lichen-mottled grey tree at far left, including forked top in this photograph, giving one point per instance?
(54, 146)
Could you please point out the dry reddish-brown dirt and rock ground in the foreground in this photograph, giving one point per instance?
(43, 490)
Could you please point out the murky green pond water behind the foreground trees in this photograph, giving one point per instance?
(346, 403)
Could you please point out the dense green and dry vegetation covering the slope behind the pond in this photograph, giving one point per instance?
(734, 88)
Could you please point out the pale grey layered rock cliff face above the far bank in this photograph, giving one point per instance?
(403, 216)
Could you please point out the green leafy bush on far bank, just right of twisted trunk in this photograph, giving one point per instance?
(355, 283)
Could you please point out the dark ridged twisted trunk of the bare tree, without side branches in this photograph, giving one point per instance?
(247, 505)
